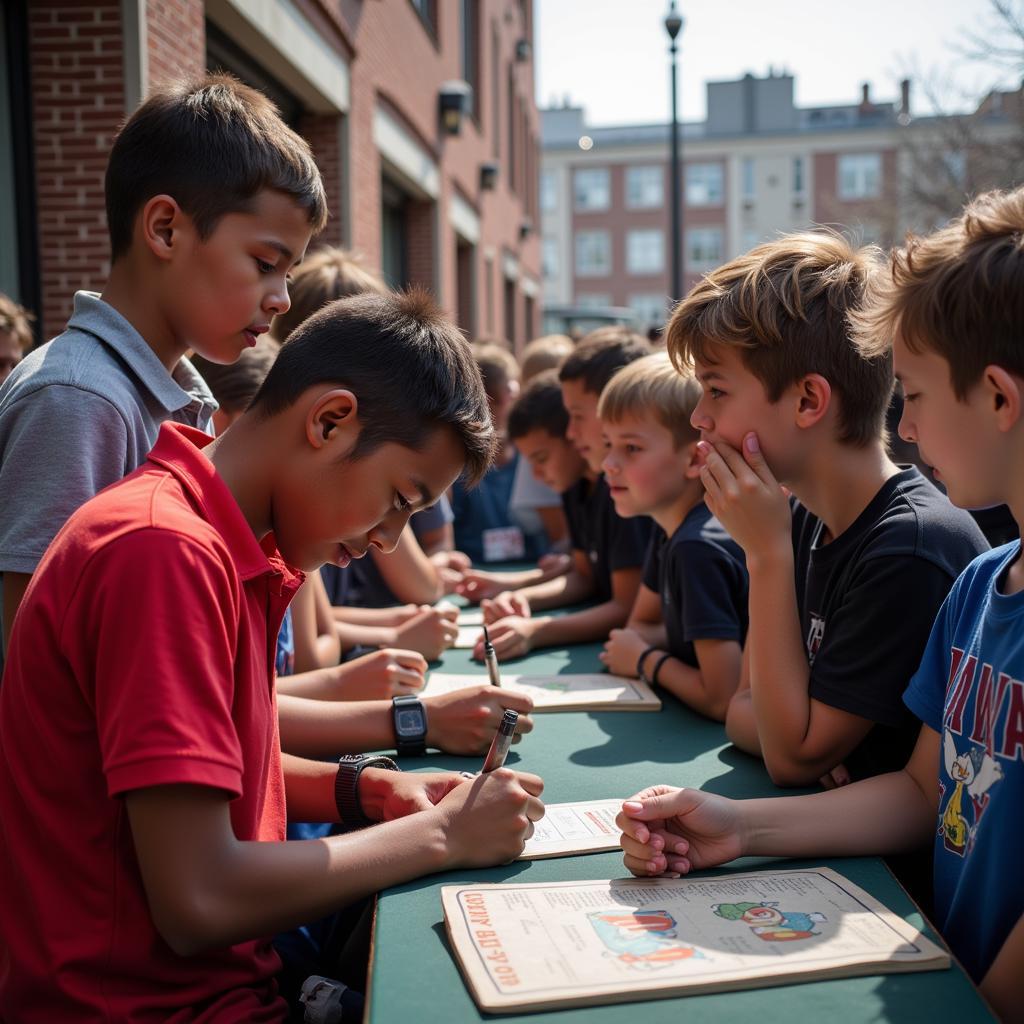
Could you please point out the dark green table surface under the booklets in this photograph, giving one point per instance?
(590, 756)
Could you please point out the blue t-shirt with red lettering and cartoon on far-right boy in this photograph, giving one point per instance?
(970, 689)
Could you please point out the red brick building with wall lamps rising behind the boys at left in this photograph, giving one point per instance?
(365, 81)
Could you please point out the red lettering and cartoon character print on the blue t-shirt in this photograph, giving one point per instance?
(971, 750)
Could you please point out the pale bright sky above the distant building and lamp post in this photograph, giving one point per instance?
(611, 57)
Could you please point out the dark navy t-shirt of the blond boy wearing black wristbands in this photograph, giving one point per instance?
(701, 576)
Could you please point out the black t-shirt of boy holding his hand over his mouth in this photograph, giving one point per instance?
(868, 601)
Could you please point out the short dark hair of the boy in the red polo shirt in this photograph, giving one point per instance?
(408, 364)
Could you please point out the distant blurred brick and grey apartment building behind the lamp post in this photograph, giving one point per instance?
(758, 166)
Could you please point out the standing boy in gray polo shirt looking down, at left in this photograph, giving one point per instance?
(211, 200)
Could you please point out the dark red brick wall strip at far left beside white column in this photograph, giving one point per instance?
(78, 104)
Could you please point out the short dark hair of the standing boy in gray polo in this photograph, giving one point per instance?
(215, 145)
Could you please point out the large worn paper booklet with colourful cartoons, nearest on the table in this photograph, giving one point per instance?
(559, 945)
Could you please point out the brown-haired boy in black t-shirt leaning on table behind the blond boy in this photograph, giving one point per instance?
(608, 551)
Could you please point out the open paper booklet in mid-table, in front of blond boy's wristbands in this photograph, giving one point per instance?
(595, 692)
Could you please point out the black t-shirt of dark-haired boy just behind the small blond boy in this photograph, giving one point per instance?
(610, 542)
